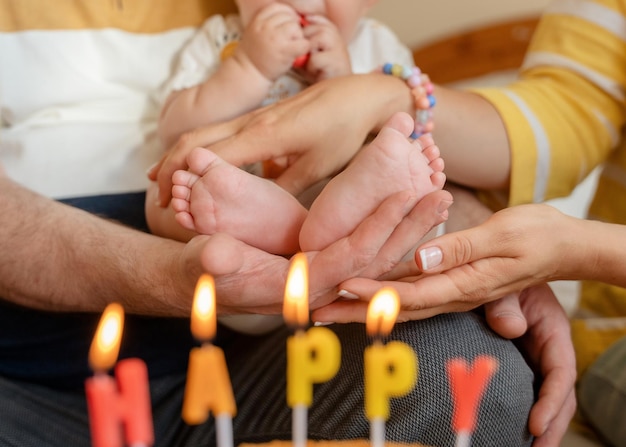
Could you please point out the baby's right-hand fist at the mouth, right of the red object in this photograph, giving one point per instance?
(329, 56)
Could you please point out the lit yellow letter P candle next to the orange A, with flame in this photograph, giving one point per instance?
(313, 355)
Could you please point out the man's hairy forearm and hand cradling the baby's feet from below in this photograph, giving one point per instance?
(64, 259)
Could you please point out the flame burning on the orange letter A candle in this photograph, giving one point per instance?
(203, 314)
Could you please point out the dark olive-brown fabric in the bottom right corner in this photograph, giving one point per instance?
(602, 394)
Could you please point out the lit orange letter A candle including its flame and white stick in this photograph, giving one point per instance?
(208, 388)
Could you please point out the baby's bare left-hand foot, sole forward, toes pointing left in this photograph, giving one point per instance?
(214, 196)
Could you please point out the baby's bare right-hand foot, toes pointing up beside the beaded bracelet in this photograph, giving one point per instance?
(390, 164)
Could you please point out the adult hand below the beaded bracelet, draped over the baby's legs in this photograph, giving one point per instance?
(319, 130)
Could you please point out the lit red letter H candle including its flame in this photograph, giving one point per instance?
(119, 409)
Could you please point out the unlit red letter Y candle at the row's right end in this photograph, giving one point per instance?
(467, 386)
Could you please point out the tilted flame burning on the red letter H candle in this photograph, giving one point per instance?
(105, 346)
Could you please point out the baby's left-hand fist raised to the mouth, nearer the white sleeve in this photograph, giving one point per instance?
(273, 40)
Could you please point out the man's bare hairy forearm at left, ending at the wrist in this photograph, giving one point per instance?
(59, 258)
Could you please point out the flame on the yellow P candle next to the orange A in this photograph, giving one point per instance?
(296, 302)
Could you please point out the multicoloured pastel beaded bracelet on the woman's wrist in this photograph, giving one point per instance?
(422, 91)
